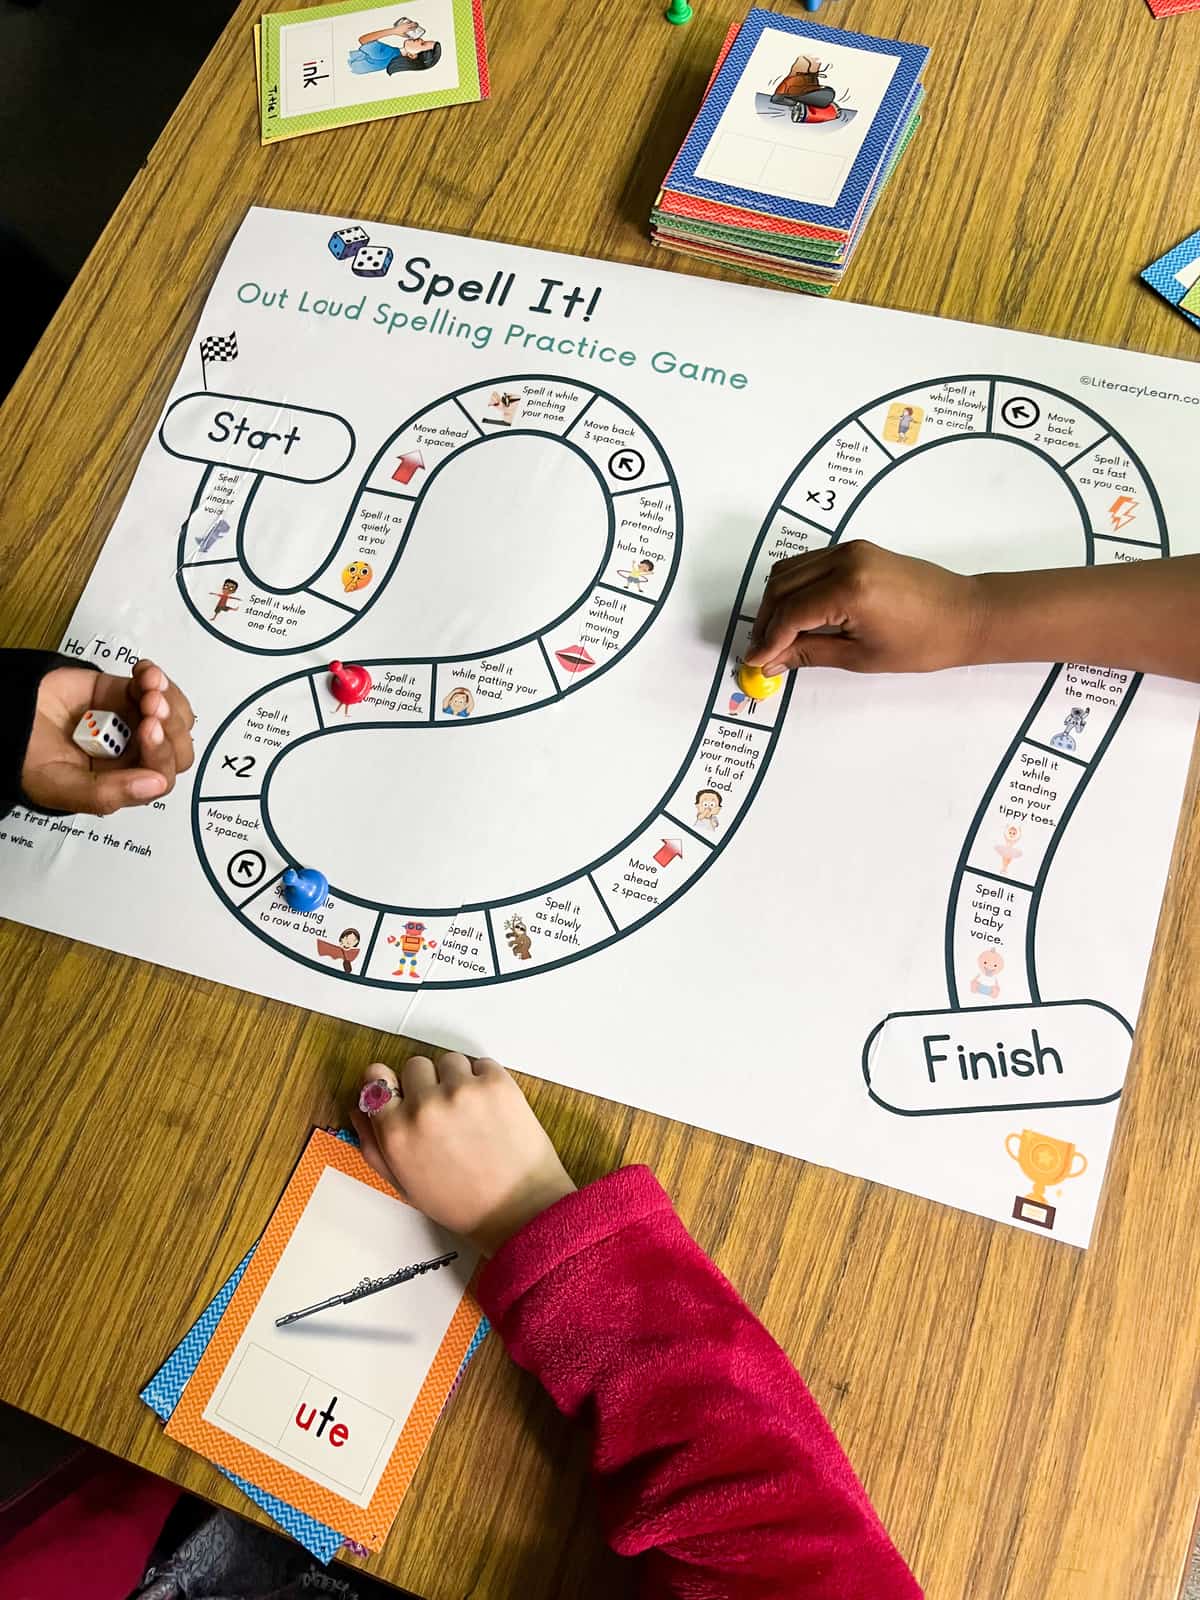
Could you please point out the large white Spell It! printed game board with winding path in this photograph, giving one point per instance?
(897, 926)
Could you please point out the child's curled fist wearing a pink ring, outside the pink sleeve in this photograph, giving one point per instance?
(462, 1143)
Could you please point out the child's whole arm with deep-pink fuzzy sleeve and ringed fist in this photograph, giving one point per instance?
(714, 1463)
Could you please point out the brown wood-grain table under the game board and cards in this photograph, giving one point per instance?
(1023, 1414)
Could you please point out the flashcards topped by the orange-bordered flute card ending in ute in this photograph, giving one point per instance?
(316, 1377)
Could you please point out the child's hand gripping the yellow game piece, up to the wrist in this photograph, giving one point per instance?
(865, 610)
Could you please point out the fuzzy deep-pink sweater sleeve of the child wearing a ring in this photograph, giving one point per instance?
(714, 1463)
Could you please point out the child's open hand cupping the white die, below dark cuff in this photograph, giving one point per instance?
(58, 775)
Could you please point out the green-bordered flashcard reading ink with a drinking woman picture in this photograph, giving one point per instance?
(337, 65)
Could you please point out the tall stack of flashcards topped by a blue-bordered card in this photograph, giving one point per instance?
(801, 129)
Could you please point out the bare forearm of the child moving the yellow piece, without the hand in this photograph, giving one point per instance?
(1143, 617)
